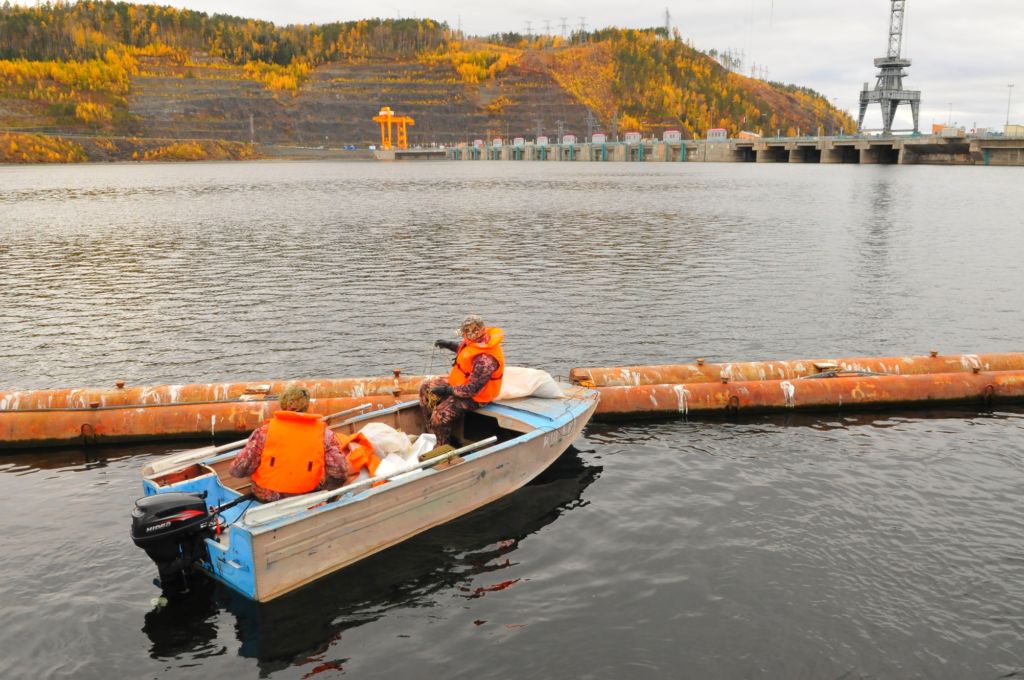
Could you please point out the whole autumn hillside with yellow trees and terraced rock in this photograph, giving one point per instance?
(146, 76)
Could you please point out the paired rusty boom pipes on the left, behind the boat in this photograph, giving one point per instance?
(209, 411)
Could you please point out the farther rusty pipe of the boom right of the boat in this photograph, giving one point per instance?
(792, 370)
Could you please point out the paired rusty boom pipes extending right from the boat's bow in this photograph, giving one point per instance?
(807, 385)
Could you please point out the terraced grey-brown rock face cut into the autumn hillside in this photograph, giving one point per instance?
(336, 104)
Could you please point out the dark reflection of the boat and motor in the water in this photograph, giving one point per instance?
(289, 630)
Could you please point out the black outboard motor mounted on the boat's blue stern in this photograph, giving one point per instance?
(173, 529)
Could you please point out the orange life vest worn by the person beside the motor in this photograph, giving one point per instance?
(292, 461)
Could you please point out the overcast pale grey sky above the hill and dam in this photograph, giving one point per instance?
(965, 54)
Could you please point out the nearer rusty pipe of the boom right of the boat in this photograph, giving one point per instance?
(855, 393)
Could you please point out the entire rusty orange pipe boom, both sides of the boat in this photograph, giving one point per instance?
(220, 411)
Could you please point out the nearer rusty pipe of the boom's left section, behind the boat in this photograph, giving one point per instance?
(209, 420)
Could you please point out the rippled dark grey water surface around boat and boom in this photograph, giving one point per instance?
(835, 546)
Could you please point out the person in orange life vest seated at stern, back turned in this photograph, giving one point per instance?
(291, 454)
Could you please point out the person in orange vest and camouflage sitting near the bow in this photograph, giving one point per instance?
(476, 378)
